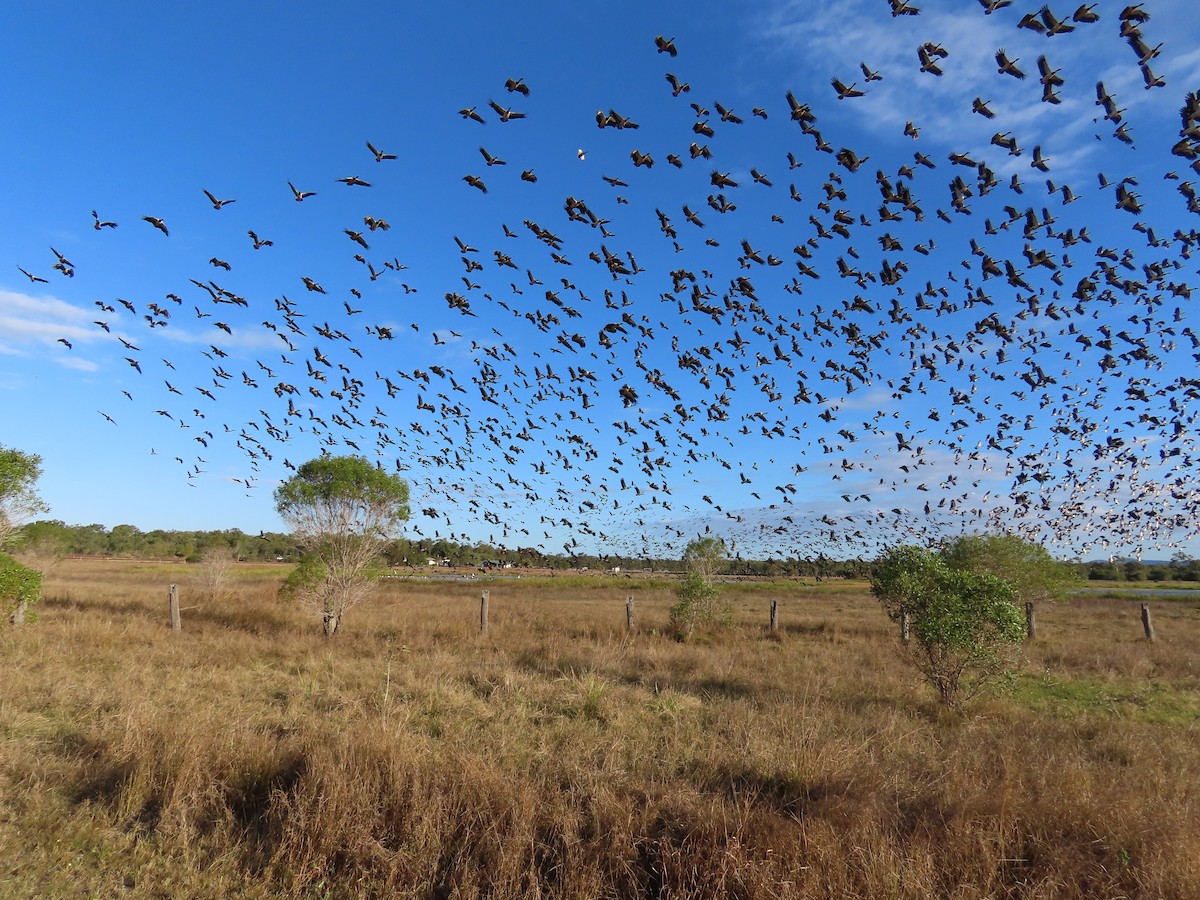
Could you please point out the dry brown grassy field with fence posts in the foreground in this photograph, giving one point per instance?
(559, 757)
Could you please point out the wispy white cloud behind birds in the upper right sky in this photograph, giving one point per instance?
(829, 45)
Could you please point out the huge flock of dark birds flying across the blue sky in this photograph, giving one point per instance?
(926, 346)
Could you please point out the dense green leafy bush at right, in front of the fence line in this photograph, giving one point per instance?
(967, 627)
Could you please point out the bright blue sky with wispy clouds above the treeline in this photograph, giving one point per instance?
(903, 395)
